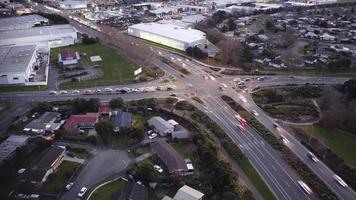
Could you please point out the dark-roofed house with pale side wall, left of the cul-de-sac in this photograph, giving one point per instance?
(44, 166)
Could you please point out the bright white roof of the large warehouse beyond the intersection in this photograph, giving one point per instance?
(171, 31)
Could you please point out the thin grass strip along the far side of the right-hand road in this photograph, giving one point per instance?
(304, 72)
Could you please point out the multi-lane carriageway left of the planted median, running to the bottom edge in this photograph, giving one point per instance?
(272, 163)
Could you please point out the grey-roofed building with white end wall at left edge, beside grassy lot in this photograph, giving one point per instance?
(17, 64)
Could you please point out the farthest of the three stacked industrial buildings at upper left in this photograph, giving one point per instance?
(21, 22)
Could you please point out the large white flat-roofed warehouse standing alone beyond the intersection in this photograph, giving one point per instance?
(169, 35)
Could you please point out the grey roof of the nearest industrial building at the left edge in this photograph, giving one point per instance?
(15, 59)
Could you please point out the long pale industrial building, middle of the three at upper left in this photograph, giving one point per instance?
(55, 36)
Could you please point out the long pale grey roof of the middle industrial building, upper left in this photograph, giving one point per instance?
(36, 31)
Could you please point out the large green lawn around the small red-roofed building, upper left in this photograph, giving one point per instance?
(117, 68)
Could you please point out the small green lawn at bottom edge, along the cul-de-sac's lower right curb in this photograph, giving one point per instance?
(104, 192)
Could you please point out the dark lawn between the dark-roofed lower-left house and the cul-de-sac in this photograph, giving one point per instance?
(56, 182)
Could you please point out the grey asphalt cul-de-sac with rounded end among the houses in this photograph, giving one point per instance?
(105, 163)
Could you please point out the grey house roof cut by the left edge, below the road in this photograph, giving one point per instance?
(8, 146)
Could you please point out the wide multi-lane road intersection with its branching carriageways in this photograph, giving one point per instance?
(279, 176)
